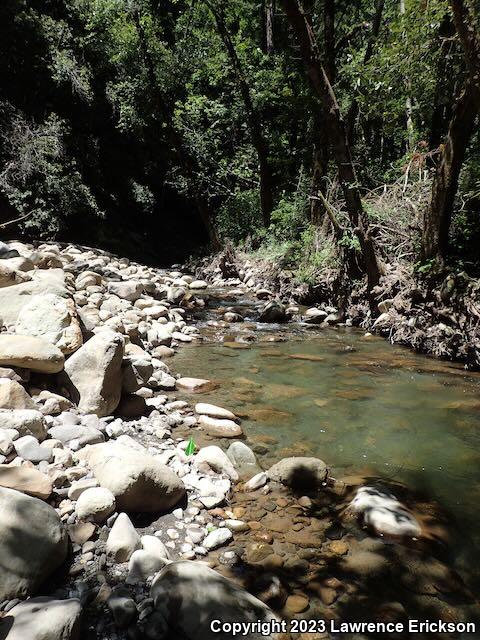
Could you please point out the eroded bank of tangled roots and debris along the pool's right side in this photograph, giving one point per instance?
(434, 315)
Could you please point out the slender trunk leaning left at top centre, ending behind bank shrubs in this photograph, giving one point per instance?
(253, 118)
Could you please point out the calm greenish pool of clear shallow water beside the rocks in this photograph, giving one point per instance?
(361, 405)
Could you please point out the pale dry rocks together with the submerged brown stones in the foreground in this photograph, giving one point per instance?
(132, 508)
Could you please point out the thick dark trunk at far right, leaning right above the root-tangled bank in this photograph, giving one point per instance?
(438, 214)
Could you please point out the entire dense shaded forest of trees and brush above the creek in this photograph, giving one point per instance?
(320, 133)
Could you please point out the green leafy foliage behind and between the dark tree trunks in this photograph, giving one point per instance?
(107, 105)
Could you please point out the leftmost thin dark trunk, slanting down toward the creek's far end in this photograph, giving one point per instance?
(185, 159)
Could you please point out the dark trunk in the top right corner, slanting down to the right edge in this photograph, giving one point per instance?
(465, 24)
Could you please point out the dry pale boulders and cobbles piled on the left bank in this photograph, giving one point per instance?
(87, 442)
